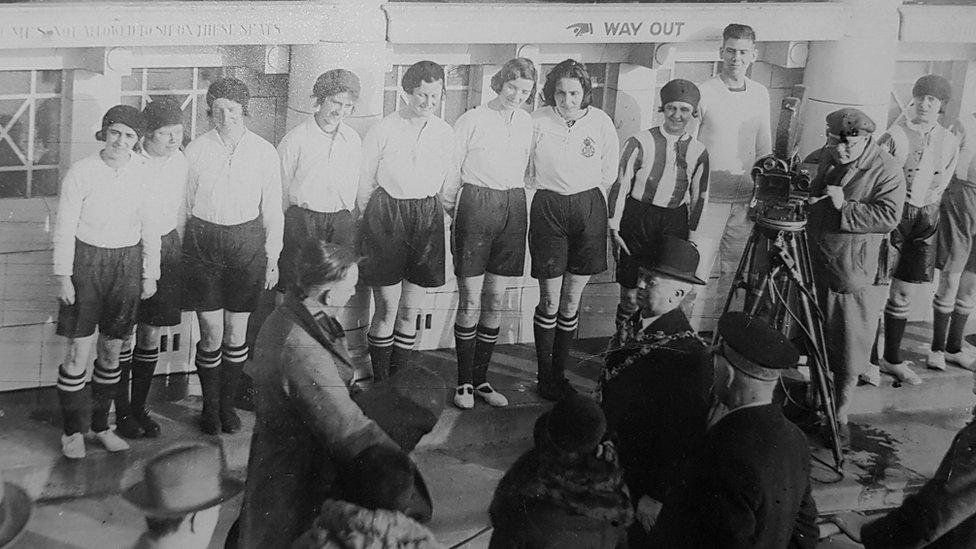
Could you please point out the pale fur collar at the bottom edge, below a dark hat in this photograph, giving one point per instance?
(342, 525)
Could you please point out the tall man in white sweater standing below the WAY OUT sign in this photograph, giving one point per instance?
(735, 129)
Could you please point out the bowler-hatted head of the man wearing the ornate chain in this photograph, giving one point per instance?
(666, 275)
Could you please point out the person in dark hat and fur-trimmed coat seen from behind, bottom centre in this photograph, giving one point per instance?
(560, 494)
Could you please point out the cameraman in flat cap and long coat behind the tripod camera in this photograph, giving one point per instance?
(857, 198)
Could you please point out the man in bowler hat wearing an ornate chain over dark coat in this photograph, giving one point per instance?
(656, 379)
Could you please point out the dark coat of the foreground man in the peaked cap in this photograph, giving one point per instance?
(749, 488)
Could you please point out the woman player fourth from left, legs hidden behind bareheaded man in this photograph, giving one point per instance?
(320, 162)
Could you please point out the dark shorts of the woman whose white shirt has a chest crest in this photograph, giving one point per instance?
(568, 233)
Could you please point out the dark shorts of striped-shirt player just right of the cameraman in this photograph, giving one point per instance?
(915, 241)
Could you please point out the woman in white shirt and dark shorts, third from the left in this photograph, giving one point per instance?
(231, 244)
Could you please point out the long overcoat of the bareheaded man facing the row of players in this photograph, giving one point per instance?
(306, 426)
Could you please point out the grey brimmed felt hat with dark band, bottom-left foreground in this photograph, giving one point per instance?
(183, 479)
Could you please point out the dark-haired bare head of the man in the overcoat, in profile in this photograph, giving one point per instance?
(327, 272)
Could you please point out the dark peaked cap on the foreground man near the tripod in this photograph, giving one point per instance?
(757, 349)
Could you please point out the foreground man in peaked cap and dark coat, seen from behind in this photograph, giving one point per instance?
(749, 486)
